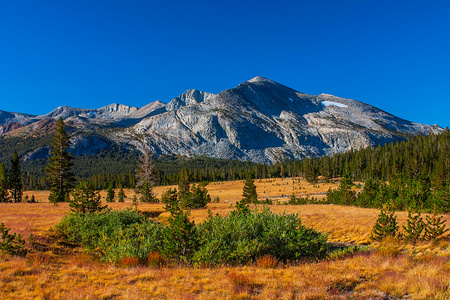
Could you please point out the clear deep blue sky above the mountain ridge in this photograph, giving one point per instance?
(392, 54)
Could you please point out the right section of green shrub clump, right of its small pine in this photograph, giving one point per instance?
(240, 238)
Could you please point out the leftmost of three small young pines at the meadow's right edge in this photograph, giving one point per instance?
(386, 224)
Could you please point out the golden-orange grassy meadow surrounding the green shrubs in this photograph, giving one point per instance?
(53, 271)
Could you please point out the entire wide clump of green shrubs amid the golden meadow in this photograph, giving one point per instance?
(125, 236)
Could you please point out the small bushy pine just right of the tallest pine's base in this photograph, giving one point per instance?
(85, 199)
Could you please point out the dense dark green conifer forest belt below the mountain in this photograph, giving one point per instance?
(414, 173)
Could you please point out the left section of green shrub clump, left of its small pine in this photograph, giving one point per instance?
(113, 234)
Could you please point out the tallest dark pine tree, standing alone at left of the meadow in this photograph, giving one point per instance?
(59, 170)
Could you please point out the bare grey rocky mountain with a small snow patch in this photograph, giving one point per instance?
(259, 120)
